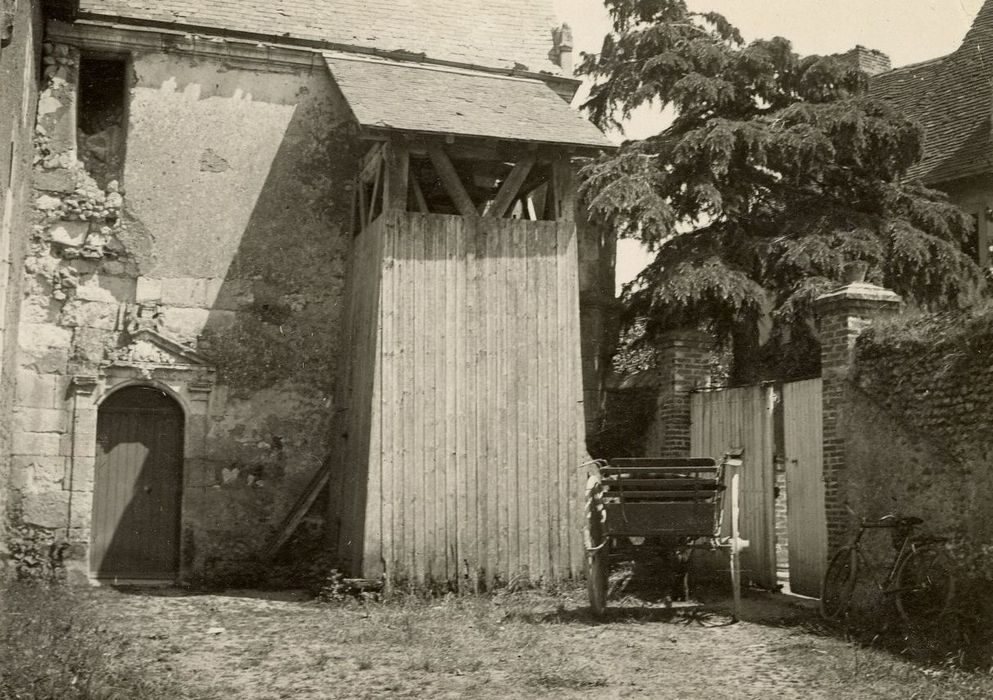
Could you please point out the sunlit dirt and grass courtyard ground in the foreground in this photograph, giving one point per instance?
(243, 644)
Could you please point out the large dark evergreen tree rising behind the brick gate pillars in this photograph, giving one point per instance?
(777, 171)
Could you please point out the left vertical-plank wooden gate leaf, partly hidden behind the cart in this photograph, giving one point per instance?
(743, 418)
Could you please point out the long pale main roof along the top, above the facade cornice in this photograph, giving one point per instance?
(492, 33)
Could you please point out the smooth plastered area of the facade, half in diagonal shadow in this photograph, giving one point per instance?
(239, 178)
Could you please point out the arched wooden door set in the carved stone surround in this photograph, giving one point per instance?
(137, 486)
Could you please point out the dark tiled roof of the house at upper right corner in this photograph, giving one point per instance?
(952, 98)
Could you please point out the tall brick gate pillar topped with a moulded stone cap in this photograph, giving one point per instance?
(844, 314)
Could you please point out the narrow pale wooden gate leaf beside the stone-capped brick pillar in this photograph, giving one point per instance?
(806, 519)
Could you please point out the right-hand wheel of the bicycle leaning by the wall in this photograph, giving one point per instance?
(924, 585)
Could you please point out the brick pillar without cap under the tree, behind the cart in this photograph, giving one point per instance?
(684, 366)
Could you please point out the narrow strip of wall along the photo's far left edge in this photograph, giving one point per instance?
(19, 56)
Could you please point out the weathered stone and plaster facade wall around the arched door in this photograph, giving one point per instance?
(224, 244)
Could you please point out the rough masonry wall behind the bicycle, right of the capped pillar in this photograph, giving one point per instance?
(917, 423)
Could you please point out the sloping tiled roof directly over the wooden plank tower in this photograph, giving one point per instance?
(421, 98)
